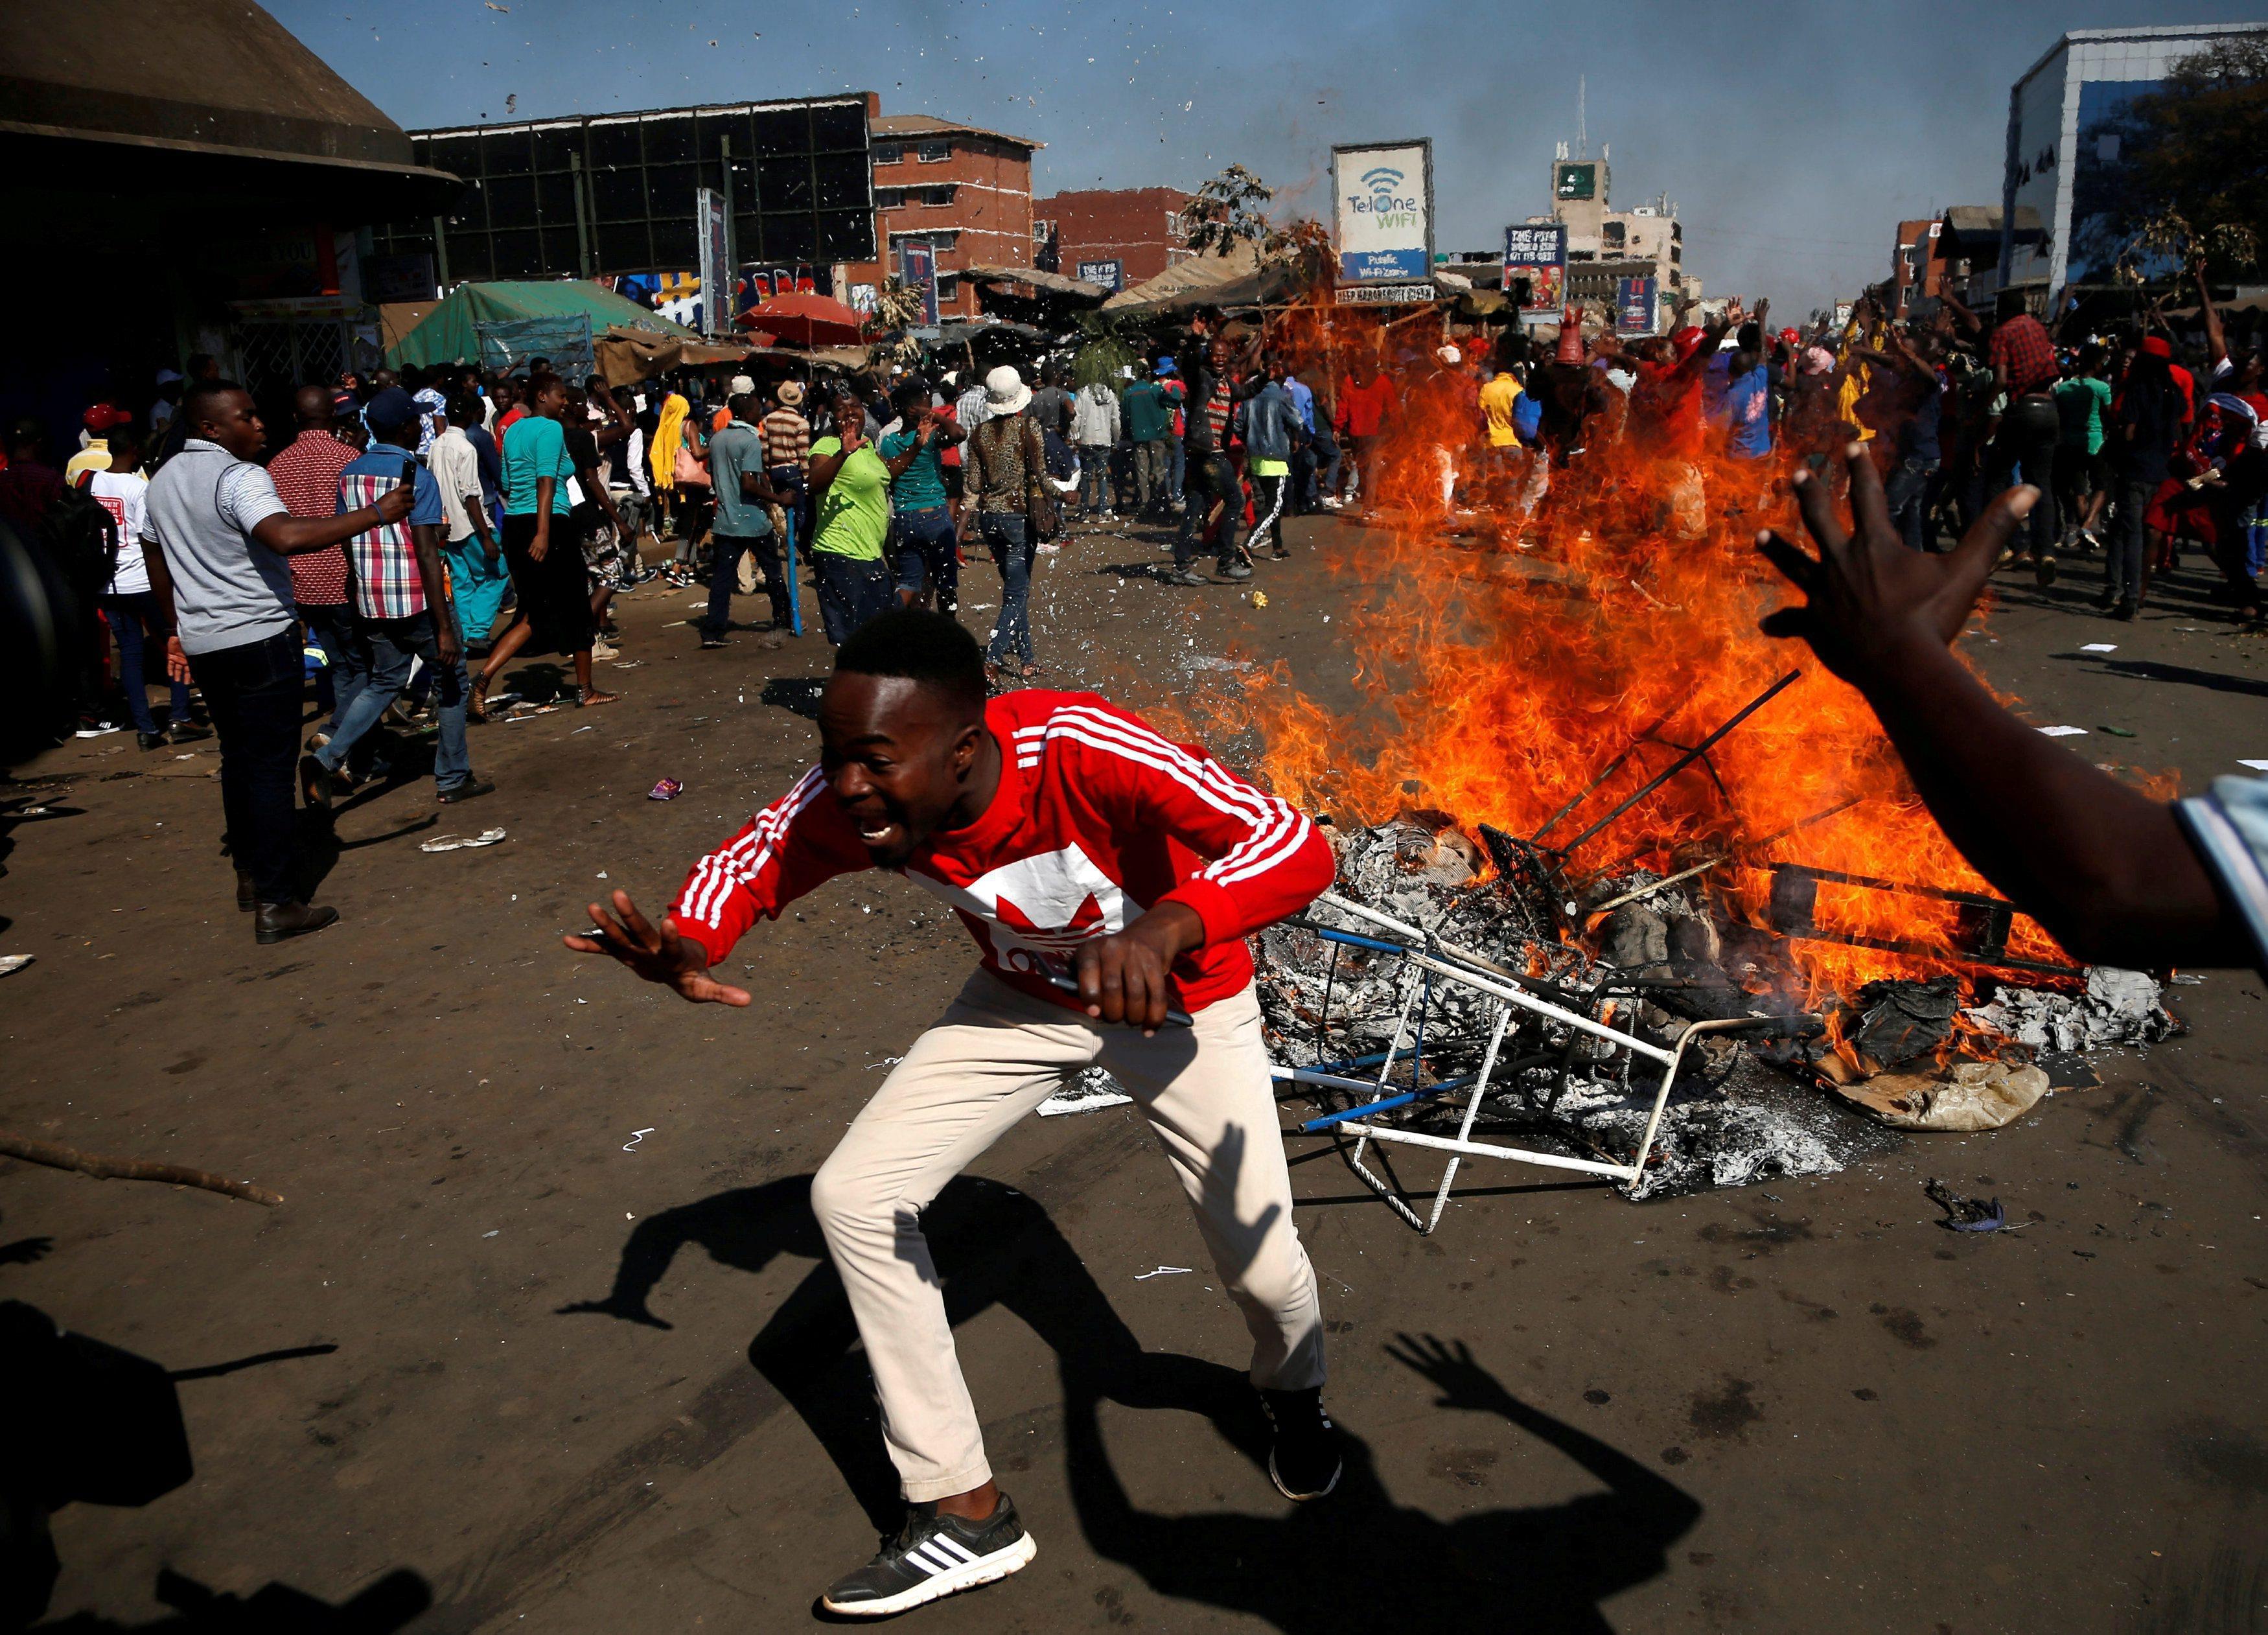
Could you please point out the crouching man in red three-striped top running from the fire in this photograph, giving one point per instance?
(1108, 876)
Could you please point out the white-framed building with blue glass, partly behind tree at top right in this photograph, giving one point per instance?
(2060, 158)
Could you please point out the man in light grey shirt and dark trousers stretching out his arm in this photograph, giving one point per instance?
(226, 593)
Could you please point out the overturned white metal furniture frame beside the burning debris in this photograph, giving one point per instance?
(1507, 997)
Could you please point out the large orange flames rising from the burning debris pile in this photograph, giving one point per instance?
(1500, 681)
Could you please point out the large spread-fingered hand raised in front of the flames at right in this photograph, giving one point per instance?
(1868, 595)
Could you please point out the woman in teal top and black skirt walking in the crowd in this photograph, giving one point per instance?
(543, 548)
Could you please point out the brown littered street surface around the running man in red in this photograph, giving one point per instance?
(543, 1337)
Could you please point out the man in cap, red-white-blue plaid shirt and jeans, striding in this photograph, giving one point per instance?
(405, 609)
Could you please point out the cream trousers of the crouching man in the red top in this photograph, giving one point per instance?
(985, 1065)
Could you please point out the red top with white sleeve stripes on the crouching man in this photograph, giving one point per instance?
(1097, 822)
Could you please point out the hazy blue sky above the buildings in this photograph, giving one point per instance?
(1793, 137)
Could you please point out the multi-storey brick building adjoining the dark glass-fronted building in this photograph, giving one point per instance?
(960, 189)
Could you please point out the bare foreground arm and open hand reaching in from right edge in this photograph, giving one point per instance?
(2106, 870)
